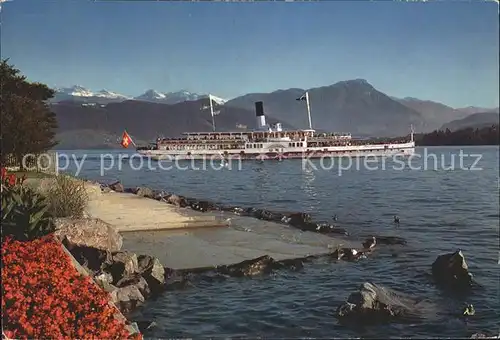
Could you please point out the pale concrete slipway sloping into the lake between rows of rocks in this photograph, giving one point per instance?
(182, 238)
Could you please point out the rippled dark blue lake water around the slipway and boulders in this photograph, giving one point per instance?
(442, 208)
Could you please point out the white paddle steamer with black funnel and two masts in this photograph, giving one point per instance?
(267, 142)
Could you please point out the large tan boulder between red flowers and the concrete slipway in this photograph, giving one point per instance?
(89, 232)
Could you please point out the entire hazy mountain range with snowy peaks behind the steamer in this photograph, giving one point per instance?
(353, 106)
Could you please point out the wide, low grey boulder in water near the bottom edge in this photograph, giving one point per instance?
(373, 304)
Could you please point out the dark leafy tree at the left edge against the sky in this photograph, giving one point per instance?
(28, 125)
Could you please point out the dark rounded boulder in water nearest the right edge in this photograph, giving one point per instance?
(451, 270)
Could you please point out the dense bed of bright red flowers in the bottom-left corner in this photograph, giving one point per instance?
(44, 297)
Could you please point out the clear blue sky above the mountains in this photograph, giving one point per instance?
(443, 51)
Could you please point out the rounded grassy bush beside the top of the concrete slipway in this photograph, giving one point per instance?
(67, 197)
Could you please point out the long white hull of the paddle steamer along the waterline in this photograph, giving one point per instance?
(368, 150)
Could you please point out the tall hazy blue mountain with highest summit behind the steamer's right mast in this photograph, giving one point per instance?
(352, 105)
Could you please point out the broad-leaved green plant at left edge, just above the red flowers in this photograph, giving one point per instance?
(25, 213)
